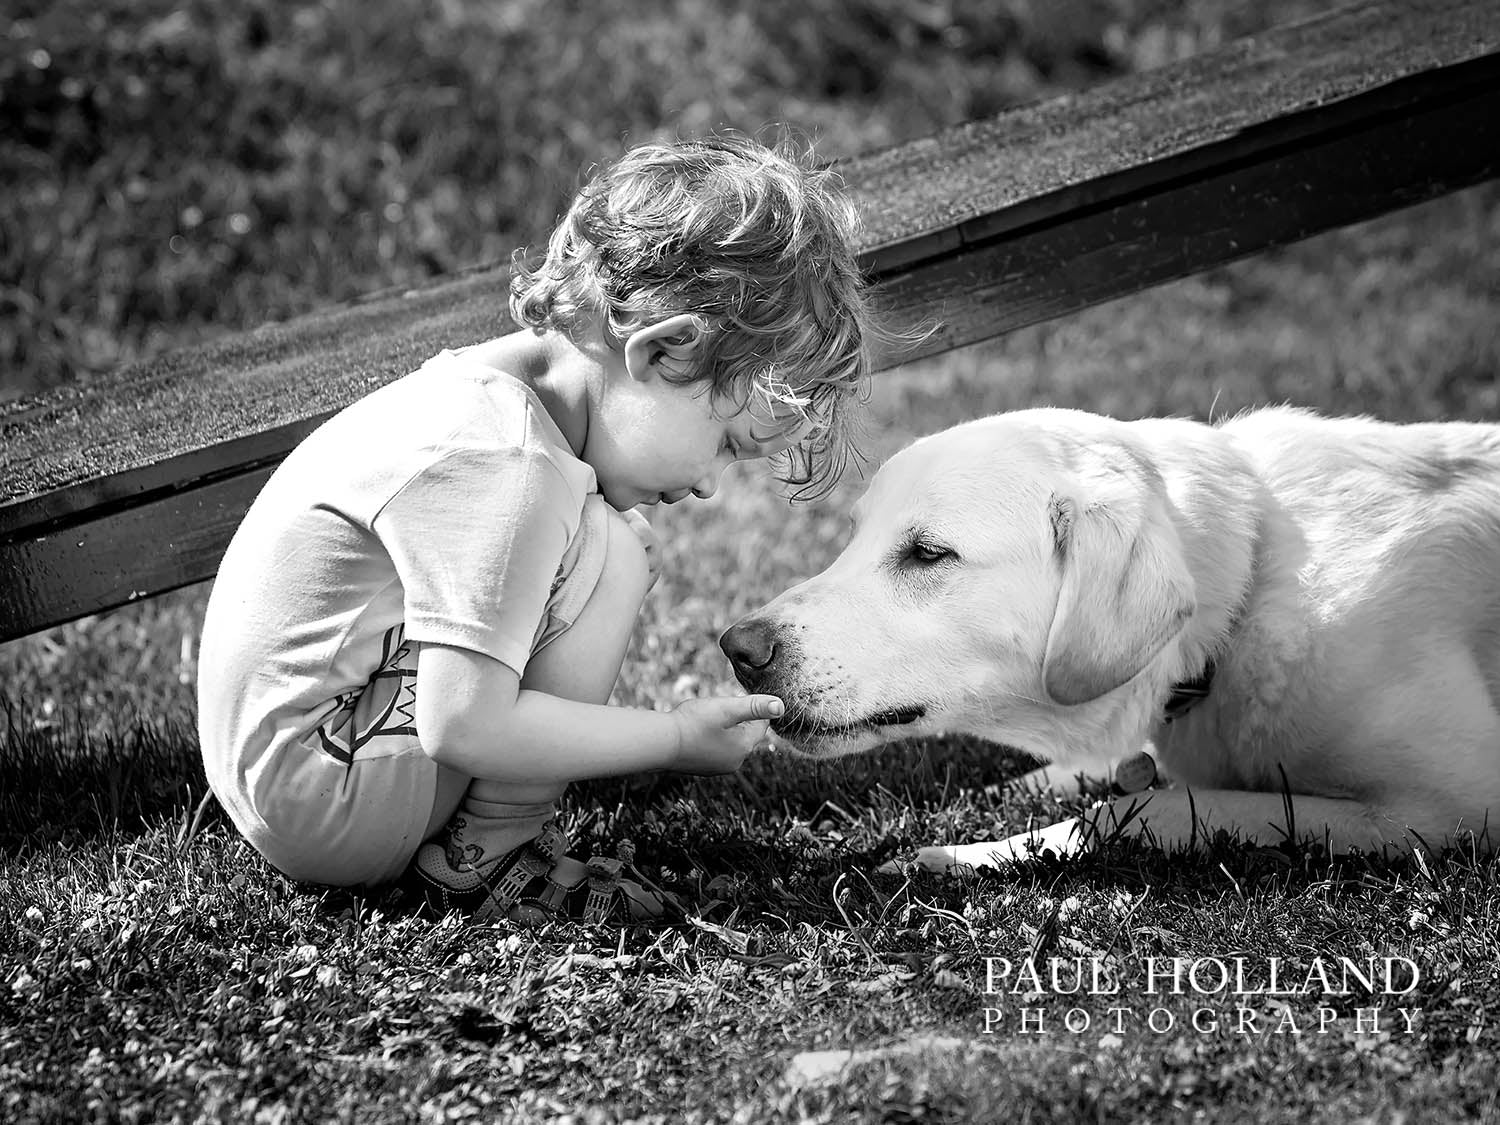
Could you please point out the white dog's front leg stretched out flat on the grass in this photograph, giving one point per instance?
(1181, 818)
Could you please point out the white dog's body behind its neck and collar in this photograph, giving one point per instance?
(1367, 659)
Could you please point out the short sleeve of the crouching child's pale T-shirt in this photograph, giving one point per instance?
(476, 539)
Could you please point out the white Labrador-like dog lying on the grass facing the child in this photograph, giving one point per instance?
(1291, 613)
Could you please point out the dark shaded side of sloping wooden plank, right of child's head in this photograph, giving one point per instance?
(1208, 215)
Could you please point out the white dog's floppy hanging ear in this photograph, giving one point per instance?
(1126, 590)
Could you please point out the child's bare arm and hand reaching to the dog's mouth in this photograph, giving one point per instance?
(475, 718)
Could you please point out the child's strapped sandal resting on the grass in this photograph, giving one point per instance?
(536, 883)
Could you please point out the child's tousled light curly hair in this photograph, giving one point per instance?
(757, 242)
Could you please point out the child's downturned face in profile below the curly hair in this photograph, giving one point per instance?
(655, 442)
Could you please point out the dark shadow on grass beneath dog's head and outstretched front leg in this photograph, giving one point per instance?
(799, 830)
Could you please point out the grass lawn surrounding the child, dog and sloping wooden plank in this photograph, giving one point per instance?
(154, 970)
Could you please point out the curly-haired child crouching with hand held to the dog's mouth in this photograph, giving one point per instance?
(415, 632)
